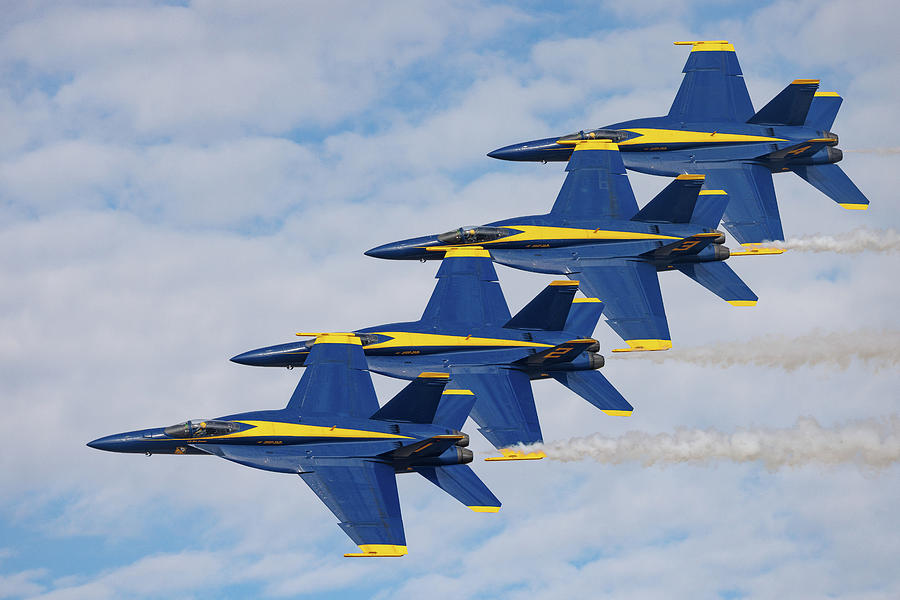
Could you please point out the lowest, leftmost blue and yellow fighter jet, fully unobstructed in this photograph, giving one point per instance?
(334, 435)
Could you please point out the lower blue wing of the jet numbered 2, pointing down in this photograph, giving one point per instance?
(504, 404)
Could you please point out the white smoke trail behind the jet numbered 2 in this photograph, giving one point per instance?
(836, 350)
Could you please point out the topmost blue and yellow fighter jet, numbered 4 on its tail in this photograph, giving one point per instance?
(712, 129)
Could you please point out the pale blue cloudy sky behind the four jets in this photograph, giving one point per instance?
(180, 182)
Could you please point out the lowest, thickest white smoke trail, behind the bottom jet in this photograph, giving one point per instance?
(871, 443)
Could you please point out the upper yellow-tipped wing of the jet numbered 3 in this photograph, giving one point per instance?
(596, 186)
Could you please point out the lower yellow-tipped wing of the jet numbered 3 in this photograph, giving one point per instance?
(632, 301)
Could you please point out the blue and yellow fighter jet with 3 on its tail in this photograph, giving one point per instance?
(595, 234)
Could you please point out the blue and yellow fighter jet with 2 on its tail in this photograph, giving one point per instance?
(466, 331)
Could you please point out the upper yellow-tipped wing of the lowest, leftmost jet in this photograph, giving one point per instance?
(335, 382)
